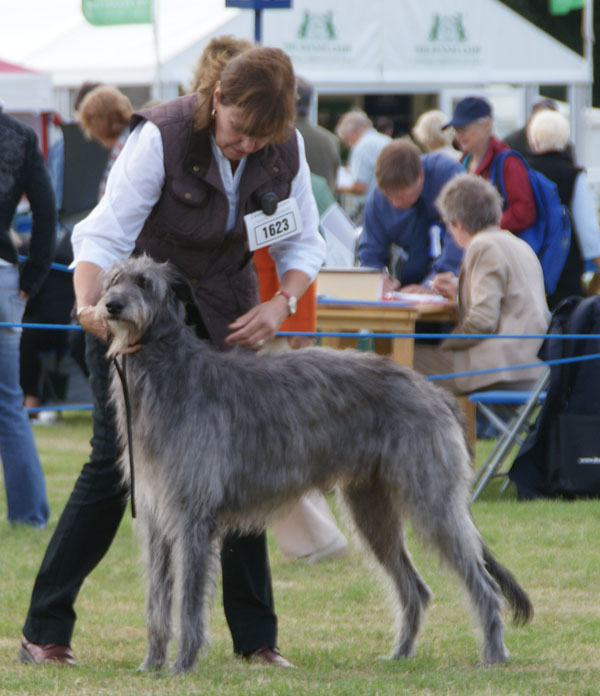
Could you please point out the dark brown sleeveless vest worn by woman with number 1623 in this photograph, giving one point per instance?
(186, 226)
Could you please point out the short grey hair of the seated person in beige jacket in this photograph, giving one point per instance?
(471, 201)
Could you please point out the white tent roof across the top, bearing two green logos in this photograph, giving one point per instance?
(340, 45)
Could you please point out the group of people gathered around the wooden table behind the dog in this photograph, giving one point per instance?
(410, 232)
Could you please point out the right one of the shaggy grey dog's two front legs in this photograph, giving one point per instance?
(194, 562)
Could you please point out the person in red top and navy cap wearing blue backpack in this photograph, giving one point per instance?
(472, 122)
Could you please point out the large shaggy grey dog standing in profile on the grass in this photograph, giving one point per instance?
(222, 440)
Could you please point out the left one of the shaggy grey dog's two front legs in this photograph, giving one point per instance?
(158, 597)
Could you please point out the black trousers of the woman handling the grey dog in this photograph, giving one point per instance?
(88, 525)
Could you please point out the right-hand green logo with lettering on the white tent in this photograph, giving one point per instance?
(448, 41)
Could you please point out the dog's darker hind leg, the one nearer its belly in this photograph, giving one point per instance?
(377, 517)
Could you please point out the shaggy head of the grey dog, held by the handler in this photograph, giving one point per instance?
(140, 300)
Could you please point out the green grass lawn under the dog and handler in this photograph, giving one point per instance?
(335, 618)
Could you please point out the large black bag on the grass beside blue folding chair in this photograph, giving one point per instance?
(561, 455)
